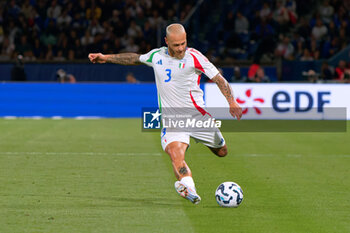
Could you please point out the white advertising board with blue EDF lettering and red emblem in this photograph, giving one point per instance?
(284, 101)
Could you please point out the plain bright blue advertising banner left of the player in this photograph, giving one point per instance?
(74, 100)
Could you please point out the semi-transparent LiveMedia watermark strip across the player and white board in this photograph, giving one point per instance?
(264, 120)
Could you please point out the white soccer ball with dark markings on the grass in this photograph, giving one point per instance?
(229, 194)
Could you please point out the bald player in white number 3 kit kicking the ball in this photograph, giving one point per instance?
(177, 72)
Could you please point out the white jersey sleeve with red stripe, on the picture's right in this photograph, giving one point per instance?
(202, 64)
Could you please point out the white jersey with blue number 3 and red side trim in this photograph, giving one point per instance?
(178, 79)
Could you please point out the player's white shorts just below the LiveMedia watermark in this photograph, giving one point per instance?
(212, 139)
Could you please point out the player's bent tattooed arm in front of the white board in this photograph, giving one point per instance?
(226, 90)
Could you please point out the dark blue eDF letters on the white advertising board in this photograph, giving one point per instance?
(284, 97)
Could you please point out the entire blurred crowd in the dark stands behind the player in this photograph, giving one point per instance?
(60, 30)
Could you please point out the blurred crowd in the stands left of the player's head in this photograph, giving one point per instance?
(59, 30)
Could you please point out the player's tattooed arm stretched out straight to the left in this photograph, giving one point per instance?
(121, 58)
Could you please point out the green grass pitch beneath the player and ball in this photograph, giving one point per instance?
(108, 176)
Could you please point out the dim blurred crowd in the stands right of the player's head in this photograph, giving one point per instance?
(304, 30)
